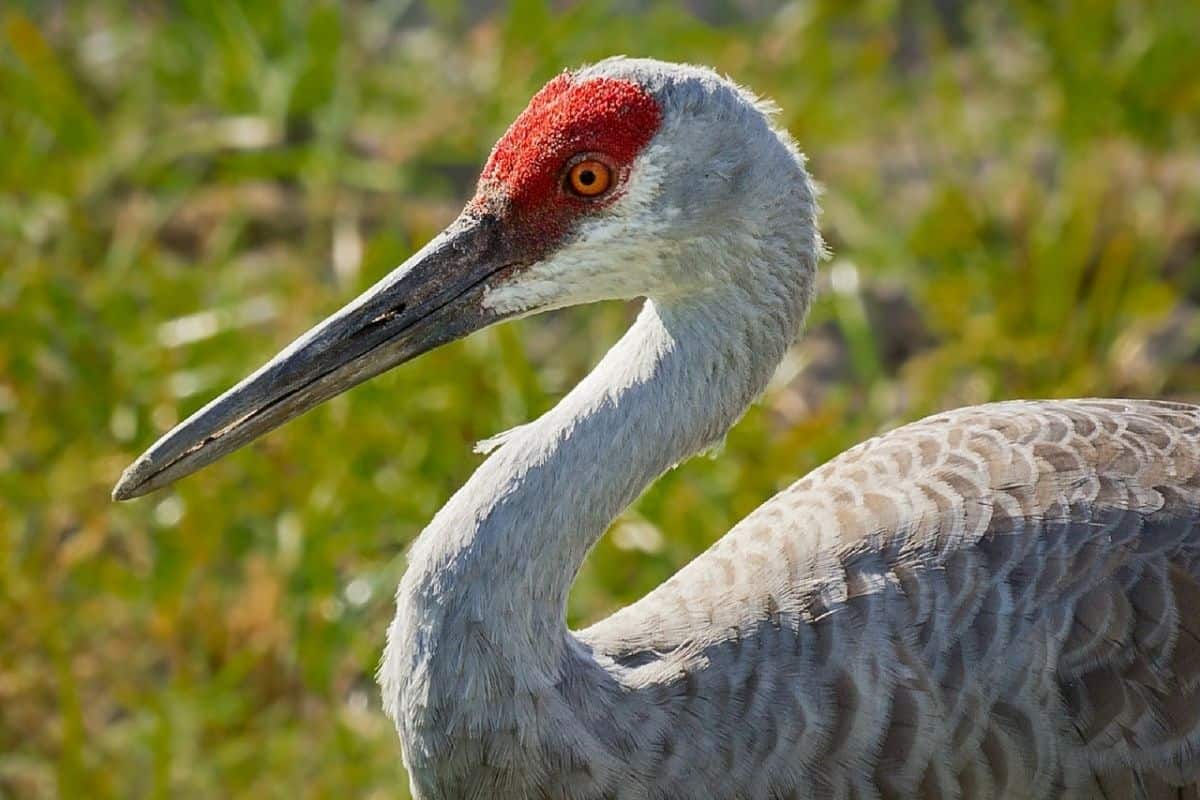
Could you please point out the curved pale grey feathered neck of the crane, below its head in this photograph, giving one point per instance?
(481, 611)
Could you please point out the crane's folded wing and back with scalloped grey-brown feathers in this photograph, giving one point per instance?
(1001, 601)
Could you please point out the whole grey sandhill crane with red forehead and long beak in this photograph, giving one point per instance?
(1001, 601)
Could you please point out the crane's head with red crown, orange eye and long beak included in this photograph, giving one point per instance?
(593, 194)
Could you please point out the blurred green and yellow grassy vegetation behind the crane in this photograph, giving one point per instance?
(1012, 200)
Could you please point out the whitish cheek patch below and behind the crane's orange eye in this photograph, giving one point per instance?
(617, 256)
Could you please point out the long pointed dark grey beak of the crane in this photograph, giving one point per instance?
(433, 299)
